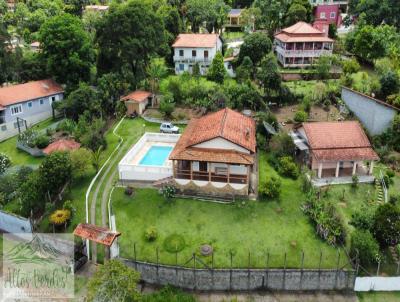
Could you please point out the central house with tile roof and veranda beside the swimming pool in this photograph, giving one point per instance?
(216, 154)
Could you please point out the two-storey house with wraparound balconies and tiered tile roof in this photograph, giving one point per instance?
(300, 45)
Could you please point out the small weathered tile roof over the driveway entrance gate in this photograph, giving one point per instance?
(96, 233)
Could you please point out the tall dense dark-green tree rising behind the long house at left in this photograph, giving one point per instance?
(67, 49)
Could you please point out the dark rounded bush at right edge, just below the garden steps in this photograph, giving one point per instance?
(386, 226)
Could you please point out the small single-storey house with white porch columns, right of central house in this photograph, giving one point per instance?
(336, 149)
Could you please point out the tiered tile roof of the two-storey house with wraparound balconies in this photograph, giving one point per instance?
(302, 32)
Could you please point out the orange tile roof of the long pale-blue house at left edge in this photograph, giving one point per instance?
(29, 91)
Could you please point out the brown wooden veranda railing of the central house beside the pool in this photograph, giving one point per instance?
(213, 177)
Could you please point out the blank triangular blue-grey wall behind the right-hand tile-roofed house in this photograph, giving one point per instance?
(375, 115)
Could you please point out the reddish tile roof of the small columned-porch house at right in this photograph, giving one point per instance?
(338, 141)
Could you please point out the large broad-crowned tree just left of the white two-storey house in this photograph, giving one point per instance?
(129, 35)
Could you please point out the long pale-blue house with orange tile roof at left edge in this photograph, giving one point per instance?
(26, 104)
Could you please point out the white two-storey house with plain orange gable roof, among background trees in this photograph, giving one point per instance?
(190, 49)
